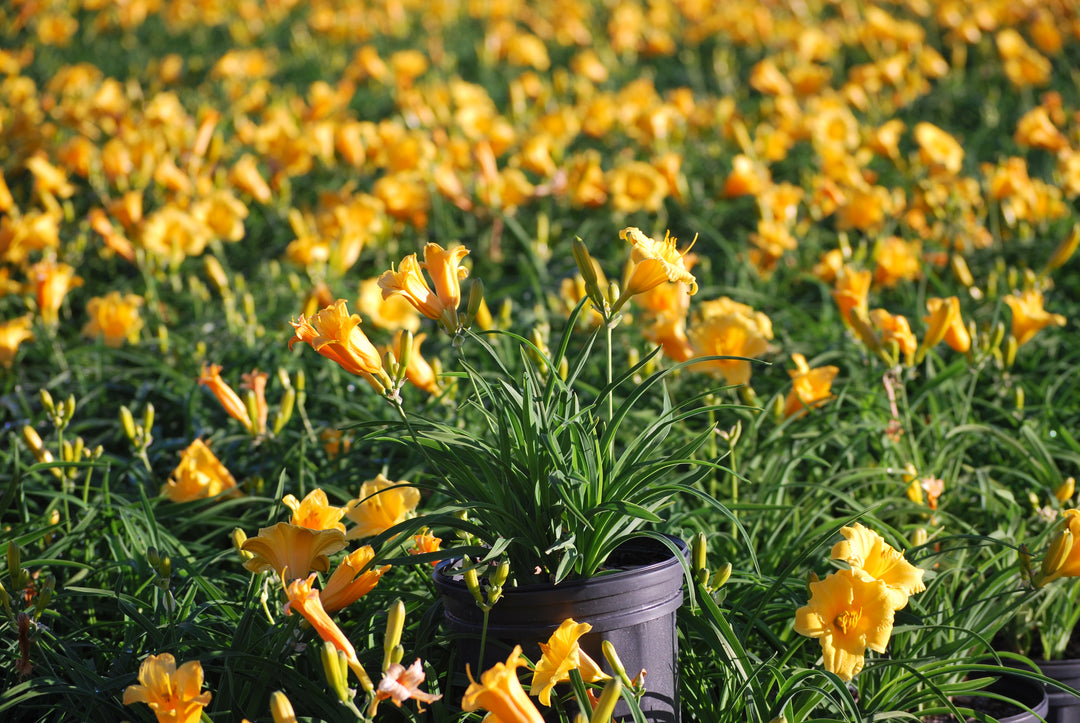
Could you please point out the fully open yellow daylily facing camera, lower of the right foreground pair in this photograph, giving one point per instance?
(848, 612)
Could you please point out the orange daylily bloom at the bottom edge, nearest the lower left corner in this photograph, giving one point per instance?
(173, 694)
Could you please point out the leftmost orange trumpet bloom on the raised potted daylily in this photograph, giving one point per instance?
(335, 334)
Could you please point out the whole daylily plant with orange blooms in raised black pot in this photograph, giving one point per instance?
(552, 467)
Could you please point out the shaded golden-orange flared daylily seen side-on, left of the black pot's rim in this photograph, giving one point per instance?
(292, 552)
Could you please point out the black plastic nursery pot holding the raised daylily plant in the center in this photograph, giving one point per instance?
(633, 607)
